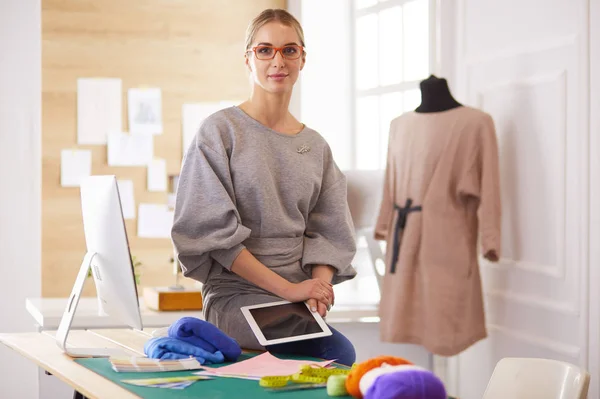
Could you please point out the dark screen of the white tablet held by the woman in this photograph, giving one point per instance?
(287, 320)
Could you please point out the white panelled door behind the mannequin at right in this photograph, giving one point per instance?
(526, 63)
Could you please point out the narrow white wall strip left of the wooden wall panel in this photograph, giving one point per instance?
(20, 185)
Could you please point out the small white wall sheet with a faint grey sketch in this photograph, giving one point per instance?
(144, 110)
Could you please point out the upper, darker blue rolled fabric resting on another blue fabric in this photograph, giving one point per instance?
(205, 335)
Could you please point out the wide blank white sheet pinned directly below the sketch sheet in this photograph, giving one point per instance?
(126, 149)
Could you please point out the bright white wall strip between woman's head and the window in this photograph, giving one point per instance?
(323, 93)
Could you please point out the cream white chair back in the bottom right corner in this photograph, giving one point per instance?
(534, 378)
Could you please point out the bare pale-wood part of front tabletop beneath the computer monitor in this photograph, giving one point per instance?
(41, 348)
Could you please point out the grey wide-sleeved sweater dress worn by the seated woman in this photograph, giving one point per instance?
(282, 197)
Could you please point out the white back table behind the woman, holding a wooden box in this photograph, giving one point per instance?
(47, 313)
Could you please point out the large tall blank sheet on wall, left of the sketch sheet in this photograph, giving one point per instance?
(99, 104)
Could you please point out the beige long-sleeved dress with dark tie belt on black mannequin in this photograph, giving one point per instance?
(441, 201)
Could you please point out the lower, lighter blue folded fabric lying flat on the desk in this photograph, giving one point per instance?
(171, 348)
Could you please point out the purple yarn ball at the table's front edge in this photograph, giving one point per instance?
(409, 384)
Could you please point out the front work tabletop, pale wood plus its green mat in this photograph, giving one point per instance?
(41, 348)
